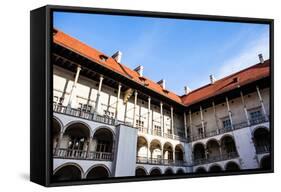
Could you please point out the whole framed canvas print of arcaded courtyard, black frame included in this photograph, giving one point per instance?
(122, 95)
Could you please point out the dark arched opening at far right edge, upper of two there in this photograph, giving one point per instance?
(262, 140)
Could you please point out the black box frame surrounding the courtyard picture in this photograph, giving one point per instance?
(41, 90)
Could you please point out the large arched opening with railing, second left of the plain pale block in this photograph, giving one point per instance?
(75, 140)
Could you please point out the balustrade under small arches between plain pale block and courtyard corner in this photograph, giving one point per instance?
(159, 161)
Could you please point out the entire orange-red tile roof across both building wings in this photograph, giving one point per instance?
(228, 83)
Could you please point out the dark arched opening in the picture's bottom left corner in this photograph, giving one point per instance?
(68, 173)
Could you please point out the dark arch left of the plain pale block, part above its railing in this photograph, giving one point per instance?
(103, 140)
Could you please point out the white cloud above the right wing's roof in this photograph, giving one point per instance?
(248, 56)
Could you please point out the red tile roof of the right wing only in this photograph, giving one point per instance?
(228, 83)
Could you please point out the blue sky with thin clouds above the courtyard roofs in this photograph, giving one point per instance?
(183, 52)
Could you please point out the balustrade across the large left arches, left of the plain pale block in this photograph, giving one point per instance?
(82, 154)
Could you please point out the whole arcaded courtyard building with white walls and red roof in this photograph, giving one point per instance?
(111, 121)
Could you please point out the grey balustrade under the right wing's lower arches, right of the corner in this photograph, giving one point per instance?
(222, 157)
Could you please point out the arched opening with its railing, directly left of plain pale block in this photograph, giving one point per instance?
(102, 144)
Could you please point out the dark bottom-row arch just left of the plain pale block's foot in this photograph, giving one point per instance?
(98, 171)
